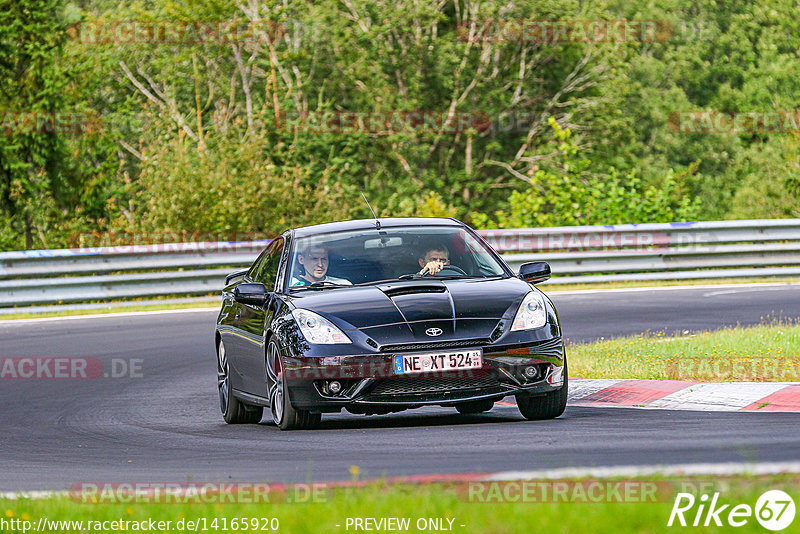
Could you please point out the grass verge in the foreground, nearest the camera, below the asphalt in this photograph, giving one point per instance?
(575, 509)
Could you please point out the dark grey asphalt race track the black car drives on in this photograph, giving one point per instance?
(163, 423)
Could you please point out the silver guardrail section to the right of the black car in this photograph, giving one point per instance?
(668, 251)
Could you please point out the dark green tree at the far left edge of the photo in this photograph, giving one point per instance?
(34, 172)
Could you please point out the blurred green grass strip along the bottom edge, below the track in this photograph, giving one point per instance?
(572, 514)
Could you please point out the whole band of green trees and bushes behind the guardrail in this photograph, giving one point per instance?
(193, 136)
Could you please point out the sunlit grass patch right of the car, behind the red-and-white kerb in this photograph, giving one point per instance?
(769, 352)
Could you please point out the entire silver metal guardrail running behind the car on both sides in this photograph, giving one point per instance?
(577, 254)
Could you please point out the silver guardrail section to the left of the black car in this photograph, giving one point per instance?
(64, 276)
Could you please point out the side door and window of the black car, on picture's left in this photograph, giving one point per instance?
(254, 321)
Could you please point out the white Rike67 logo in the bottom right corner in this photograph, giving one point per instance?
(774, 510)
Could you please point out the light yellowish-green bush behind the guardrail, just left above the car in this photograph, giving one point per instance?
(233, 188)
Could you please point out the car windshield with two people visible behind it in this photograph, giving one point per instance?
(364, 257)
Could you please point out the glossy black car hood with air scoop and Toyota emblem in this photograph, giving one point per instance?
(404, 311)
